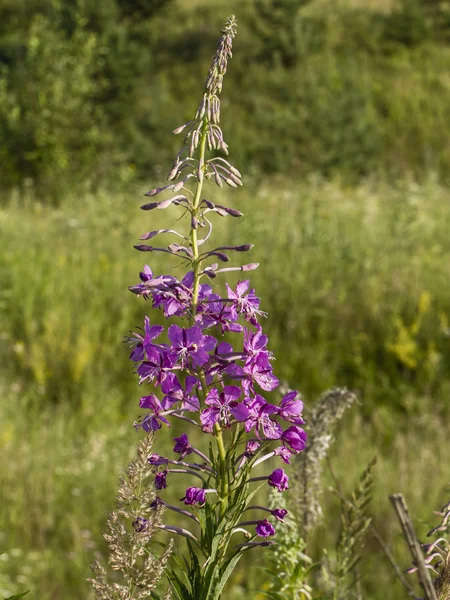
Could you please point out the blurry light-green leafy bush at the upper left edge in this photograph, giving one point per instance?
(56, 133)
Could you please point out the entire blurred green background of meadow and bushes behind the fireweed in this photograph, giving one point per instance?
(337, 114)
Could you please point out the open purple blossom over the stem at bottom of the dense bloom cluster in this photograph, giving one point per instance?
(223, 406)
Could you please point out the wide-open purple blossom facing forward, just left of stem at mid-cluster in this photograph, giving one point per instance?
(190, 344)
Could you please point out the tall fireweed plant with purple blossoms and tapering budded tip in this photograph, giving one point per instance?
(211, 385)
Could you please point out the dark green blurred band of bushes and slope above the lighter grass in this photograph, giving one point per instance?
(89, 91)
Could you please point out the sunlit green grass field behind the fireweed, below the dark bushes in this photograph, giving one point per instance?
(356, 286)
